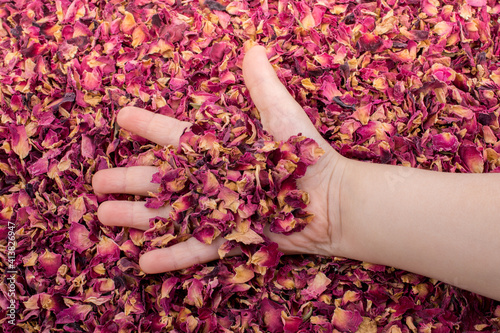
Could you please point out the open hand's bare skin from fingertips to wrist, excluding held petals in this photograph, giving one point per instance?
(283, 117)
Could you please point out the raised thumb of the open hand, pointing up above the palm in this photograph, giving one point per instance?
(281, 115)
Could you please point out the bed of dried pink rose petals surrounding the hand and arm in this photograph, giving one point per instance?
(411, 82)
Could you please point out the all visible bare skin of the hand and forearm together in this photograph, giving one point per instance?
(441, 225)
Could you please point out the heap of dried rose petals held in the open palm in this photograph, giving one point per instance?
(229, 178)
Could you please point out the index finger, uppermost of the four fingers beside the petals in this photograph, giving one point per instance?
(155, 127)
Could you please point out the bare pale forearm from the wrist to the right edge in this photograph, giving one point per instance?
(441, 225)
